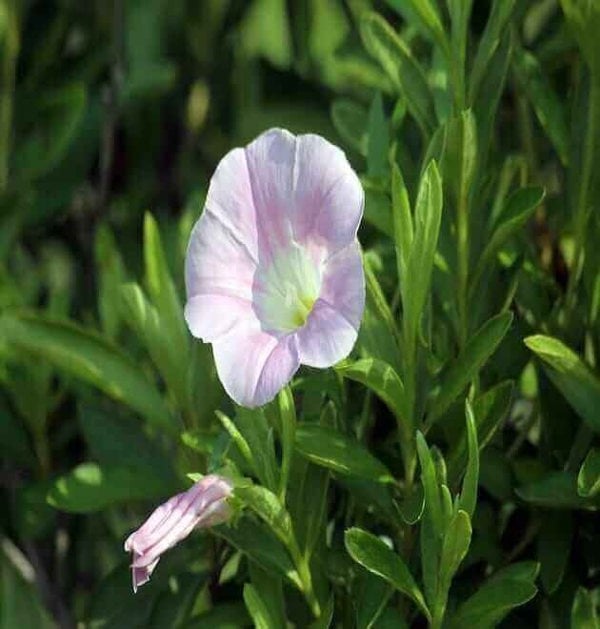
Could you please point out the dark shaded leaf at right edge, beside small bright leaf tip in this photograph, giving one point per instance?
(557, 490)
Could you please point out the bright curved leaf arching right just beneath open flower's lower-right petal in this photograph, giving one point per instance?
(380, 377)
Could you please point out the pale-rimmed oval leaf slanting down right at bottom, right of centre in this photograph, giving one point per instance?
(373, 554)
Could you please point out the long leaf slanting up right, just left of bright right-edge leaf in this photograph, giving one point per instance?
(458, 373)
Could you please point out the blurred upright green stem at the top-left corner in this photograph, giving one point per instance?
(7, 86)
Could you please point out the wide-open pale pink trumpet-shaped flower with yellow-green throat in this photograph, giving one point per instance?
(273, 269)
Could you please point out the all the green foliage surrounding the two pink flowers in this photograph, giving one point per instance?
(448, 471)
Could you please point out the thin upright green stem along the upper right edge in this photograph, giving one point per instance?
(583, 199)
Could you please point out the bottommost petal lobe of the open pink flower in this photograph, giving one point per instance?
(254, 365)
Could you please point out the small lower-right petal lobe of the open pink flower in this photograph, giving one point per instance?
(326, 338)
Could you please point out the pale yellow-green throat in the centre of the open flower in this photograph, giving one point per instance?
(286, 290)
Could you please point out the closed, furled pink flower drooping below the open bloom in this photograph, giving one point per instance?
(203, 505)
